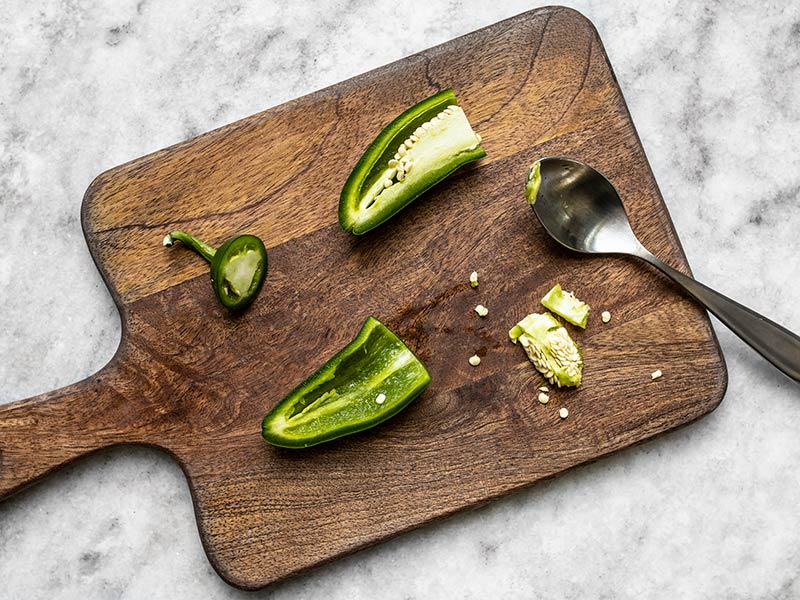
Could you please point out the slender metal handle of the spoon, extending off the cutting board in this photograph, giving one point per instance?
(777, 344)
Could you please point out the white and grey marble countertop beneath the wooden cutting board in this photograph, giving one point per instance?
(707, 511)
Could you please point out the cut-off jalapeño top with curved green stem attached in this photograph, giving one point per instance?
(238, 267)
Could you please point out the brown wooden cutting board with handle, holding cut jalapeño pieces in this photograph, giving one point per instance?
(196, 381)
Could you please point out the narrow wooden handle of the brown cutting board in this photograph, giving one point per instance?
(45, 432)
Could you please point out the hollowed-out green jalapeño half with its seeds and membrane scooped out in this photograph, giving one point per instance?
(371, 379)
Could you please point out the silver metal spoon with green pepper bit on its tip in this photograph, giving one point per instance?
(581, 210)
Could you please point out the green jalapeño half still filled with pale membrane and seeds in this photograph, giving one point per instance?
(413, 153)
